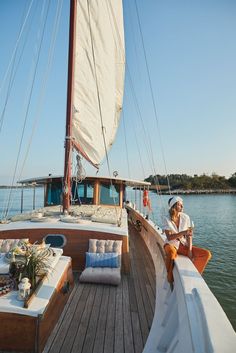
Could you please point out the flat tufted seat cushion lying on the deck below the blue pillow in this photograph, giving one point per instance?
(105, 275)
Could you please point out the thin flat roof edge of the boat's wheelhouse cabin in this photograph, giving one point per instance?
(46, 179)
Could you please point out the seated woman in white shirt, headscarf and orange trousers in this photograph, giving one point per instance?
(178, 231)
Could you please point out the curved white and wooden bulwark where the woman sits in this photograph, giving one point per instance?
(188, 317)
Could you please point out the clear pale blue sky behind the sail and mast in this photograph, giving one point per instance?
(189, 126)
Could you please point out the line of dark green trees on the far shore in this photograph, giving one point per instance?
(201, 182)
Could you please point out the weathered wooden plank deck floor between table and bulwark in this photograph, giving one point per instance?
(103, 318)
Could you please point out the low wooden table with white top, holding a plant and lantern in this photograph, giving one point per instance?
(27, 330)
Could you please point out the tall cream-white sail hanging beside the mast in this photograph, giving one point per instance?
(98, 77)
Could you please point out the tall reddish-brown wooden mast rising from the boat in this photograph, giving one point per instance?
(70, 84)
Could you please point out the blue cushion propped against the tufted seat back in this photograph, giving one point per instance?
(102, 259)
